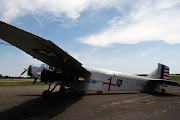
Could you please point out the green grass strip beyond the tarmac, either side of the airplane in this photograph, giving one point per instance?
(29, 82)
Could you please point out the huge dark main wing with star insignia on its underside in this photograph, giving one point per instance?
(44, 50)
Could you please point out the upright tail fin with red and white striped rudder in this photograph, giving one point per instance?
(162, 72)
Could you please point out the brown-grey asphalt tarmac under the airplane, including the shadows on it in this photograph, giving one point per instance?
(25, 102)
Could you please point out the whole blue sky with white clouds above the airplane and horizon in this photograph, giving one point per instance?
(130, 36)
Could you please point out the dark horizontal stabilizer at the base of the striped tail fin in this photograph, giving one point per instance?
(166, 82)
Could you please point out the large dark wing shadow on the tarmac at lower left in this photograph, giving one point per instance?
(42, 109)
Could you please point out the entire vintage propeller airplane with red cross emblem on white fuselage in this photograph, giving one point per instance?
(67, 71)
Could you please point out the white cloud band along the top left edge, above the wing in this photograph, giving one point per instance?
(11, 9)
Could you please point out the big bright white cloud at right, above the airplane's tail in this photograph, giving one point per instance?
(148, 20)
